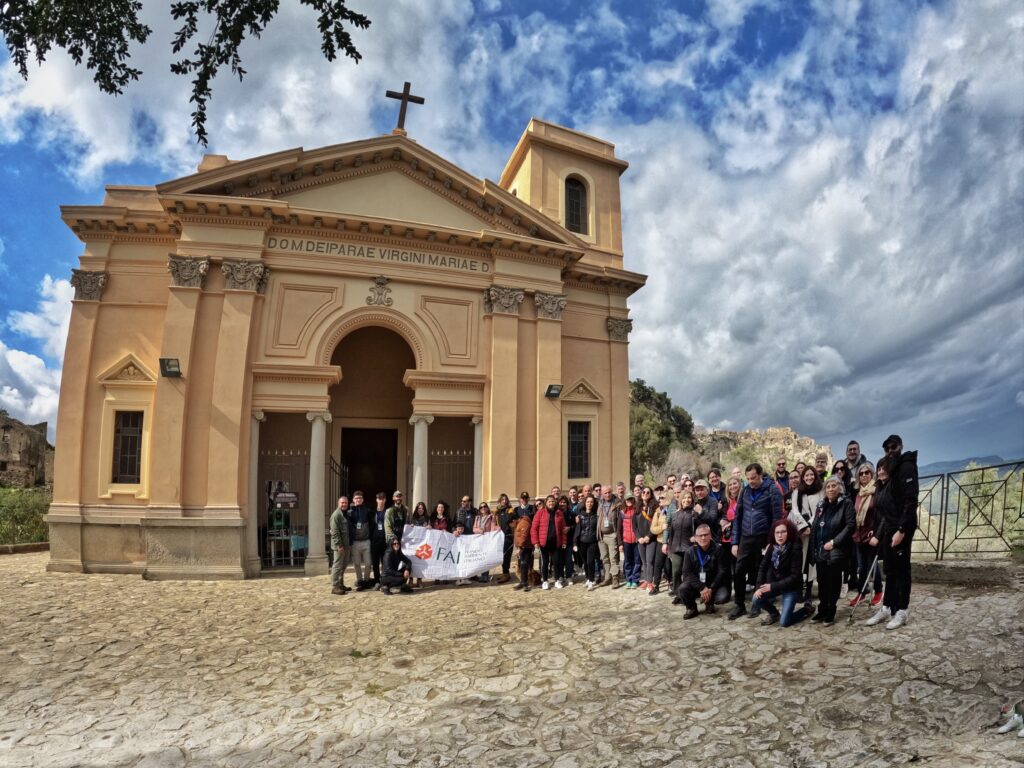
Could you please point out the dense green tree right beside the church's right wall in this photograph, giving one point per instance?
(656, 425)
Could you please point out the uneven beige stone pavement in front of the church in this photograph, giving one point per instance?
(115, 671)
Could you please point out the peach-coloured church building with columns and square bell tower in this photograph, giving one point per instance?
(365, 316)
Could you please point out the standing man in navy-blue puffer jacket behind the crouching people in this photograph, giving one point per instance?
(759, 506)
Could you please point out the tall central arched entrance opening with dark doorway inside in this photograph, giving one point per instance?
(371, 407)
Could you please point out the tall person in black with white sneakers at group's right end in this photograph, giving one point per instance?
(895, 534)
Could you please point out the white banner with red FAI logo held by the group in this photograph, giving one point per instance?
(438, 554)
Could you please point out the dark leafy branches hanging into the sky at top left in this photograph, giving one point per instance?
(101, 34)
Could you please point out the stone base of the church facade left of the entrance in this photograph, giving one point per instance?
(166, 548)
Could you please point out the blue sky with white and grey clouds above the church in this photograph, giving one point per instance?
(828, 197)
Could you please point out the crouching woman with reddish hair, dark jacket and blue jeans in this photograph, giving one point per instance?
(782, 576)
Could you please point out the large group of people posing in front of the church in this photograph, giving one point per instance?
(767, 537)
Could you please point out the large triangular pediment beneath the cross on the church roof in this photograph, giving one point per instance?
(389, 178)
